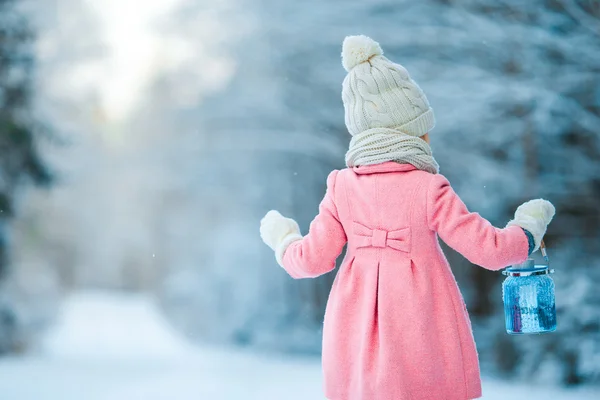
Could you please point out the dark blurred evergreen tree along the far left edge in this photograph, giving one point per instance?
(19, 156)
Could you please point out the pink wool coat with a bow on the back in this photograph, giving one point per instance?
(396, 326)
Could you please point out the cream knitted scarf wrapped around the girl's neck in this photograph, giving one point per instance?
(378, 145)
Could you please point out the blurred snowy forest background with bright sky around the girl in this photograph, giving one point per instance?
(141, 143)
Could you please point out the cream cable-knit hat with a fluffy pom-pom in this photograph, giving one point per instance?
(380, 94)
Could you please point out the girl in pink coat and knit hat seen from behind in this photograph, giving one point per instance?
(396, 326)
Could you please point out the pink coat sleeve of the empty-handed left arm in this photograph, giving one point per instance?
(315, 253)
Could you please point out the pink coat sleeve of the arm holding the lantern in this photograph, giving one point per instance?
(469, 233)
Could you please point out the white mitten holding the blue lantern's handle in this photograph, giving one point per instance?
(534, 216)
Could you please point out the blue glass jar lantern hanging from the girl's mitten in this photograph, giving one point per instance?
(528, 294)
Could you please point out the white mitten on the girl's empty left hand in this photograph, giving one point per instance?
(278, 232)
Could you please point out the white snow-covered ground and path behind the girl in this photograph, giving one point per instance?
(118, 347)
